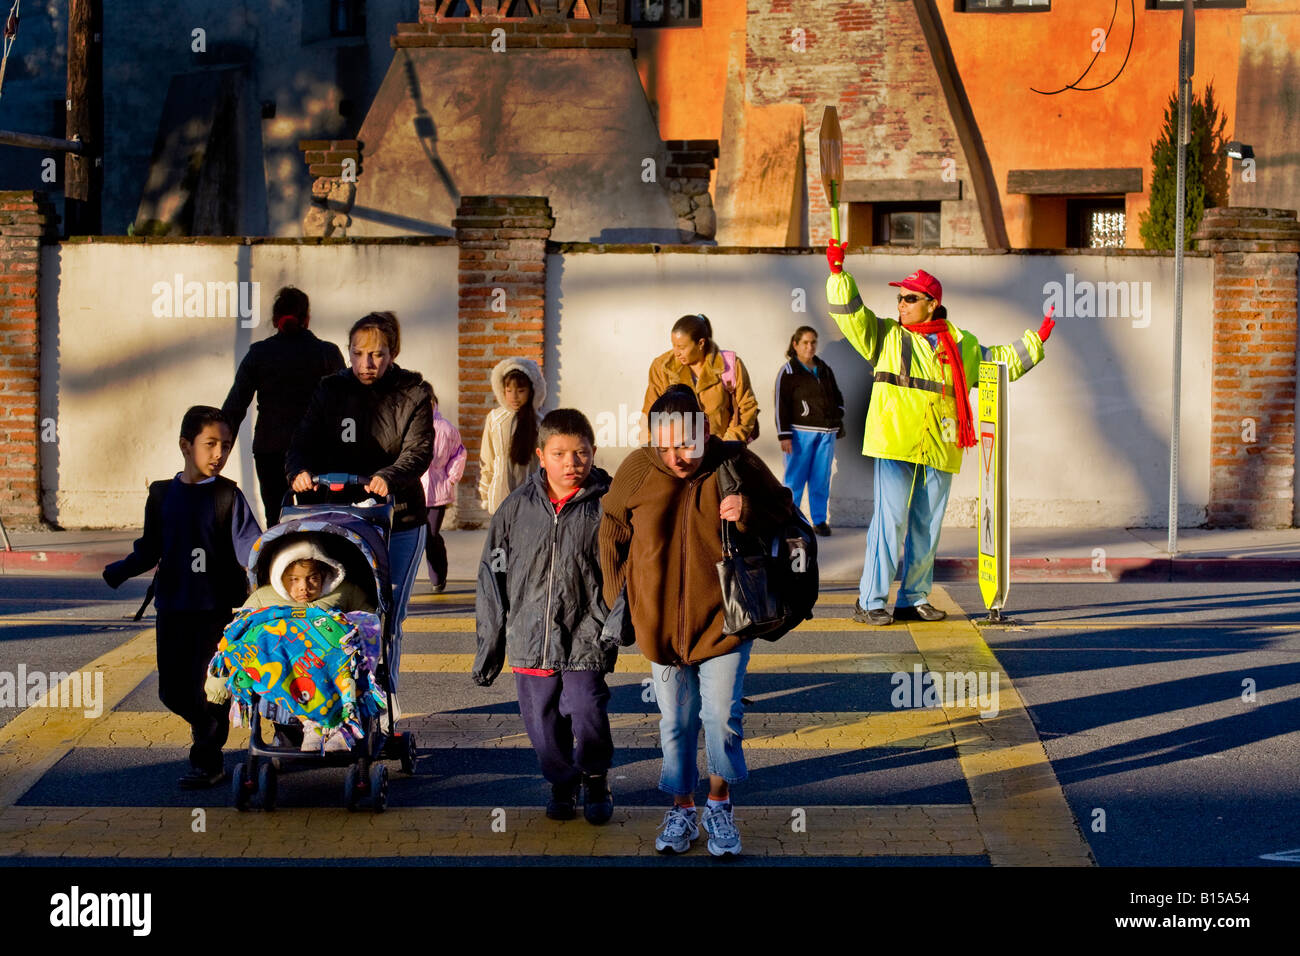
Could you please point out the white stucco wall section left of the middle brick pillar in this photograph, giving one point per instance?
(118, 379)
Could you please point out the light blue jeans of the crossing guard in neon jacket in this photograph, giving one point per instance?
(909, 511)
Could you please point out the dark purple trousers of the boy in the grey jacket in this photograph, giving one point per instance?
(569, 723)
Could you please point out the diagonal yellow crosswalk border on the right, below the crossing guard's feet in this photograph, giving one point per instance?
(1022, 811)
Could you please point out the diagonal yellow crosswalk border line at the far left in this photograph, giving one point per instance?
(38, 738)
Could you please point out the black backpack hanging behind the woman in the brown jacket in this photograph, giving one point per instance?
(788, 557)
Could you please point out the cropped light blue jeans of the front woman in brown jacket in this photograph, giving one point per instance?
(704, 694)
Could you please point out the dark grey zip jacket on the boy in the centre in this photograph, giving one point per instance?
(540, 583)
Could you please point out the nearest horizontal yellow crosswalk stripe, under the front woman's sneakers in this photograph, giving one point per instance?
(328, 833)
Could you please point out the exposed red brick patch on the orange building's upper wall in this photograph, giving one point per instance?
(872, 62)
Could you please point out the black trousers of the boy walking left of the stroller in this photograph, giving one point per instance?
(187, 642)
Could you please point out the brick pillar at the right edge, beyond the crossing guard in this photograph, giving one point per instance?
(1253, 445)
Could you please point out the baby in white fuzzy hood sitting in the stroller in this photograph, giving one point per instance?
(302, 576)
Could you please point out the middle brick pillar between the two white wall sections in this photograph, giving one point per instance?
(502, 312)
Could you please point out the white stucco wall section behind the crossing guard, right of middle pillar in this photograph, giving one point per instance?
(1090, 427)
